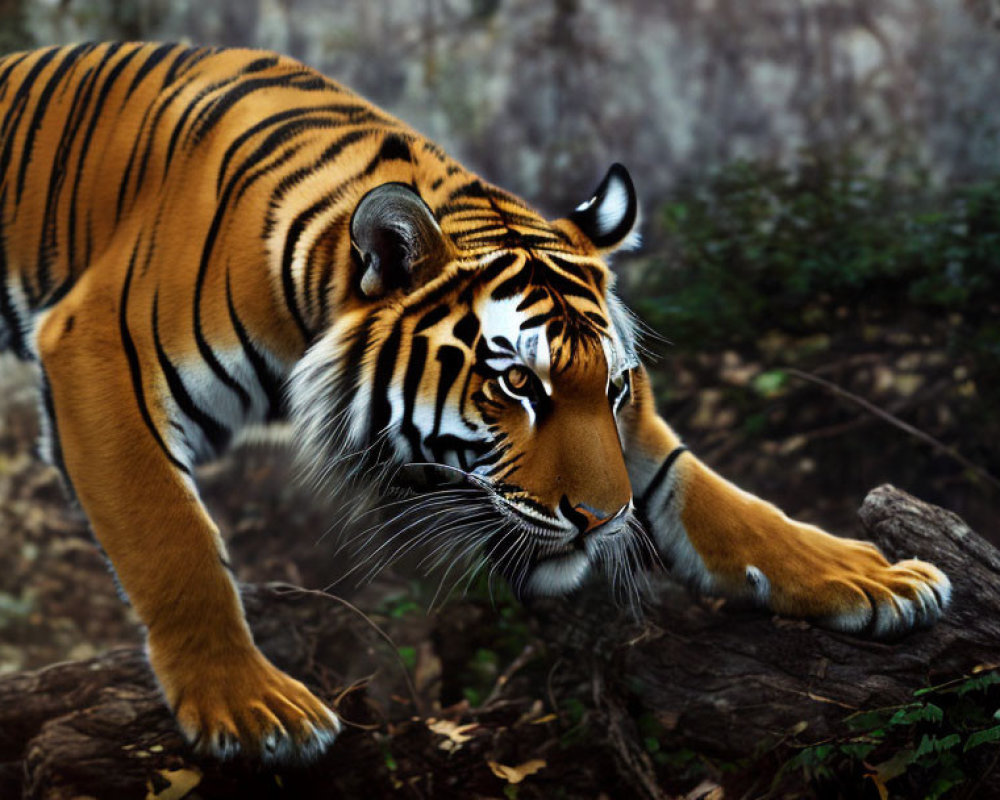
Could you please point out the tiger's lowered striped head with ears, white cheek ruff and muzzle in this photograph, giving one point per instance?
(484, 359)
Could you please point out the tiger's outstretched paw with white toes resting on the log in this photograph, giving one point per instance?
(878, 599)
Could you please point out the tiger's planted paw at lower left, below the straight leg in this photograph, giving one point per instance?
(251, 709)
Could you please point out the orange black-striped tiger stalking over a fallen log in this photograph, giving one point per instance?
(194, 240)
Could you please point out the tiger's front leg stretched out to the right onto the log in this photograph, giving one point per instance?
(719, 538)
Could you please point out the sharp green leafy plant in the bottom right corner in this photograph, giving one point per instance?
(925, 748)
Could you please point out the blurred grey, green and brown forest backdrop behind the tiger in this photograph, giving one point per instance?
(821, 191)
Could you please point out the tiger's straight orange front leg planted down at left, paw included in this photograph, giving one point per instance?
(114, 434)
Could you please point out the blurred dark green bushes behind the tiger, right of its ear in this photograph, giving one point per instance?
(825, 248)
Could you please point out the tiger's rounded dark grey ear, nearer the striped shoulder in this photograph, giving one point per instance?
(397, 240)
